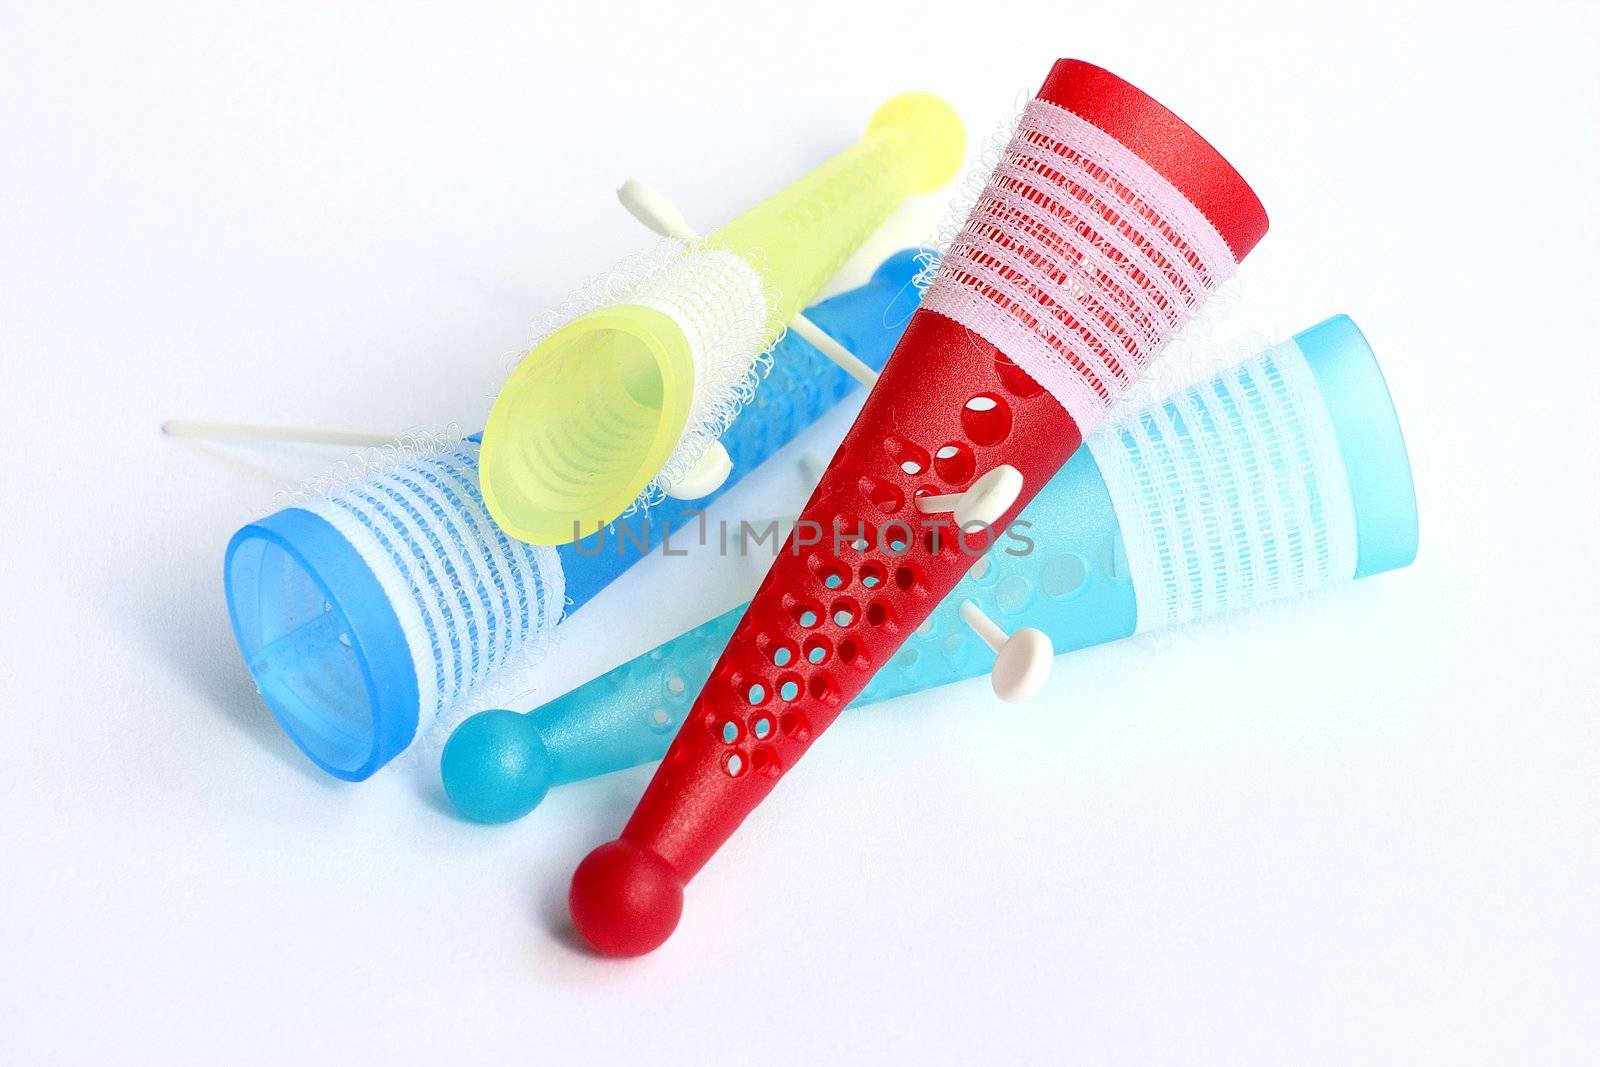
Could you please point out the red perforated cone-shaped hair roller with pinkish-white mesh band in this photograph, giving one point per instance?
(1102, 231)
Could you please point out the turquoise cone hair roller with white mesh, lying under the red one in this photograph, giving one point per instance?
(1276, 479)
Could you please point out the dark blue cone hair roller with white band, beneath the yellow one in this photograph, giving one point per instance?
(367, 612)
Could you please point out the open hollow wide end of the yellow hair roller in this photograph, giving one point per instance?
(585, 423)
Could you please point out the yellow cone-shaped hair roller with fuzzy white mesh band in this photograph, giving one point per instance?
(631, 398)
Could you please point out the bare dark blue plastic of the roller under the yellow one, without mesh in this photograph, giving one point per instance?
(326, 645)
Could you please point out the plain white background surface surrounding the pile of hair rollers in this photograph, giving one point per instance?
(1359, 829)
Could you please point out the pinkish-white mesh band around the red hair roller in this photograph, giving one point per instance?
(1079, 262)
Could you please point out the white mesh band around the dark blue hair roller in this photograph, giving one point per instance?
(470, 599)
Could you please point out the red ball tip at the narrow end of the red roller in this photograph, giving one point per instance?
(625, 900)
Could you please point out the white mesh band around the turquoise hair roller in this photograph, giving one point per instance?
(1231, 494)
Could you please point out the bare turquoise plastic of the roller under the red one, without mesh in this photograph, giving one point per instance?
(1073, 586)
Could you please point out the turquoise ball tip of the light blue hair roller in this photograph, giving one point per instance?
(497, 767)
